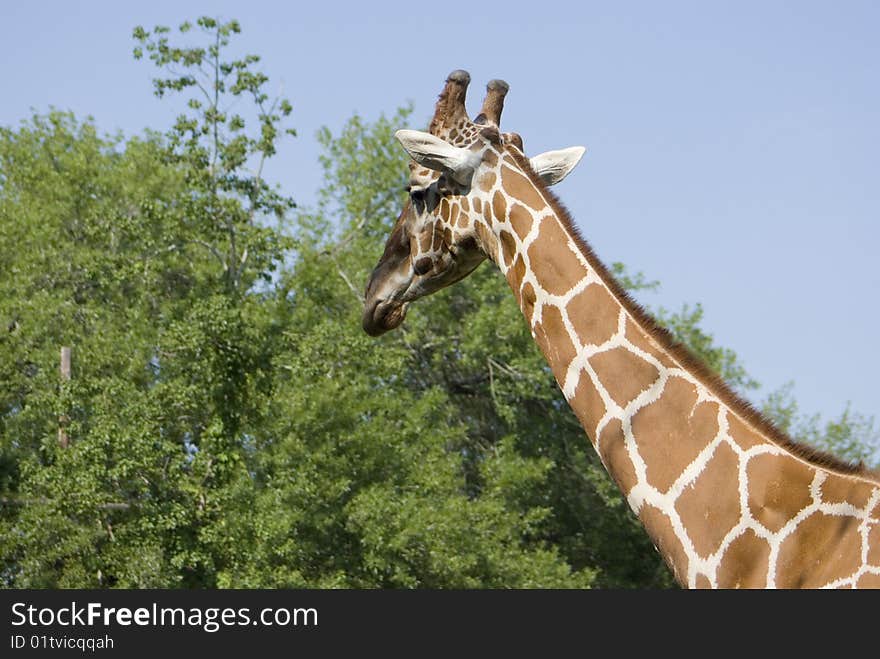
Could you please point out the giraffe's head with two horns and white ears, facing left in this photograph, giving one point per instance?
(445, 229)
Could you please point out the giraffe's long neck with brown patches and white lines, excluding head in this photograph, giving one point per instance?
(725, 502)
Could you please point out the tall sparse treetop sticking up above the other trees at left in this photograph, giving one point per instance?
(222, 159)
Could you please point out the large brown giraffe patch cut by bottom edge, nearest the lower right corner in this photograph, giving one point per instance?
(823, 548)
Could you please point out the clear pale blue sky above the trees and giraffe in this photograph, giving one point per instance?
(732, 147)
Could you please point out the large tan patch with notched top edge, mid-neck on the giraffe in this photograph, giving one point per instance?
(671, 431)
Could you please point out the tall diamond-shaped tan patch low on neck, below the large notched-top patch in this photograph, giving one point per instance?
(709, 507)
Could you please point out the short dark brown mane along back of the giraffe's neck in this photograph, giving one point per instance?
(683, 354)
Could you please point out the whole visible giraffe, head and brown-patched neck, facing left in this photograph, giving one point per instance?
(727, 499)
